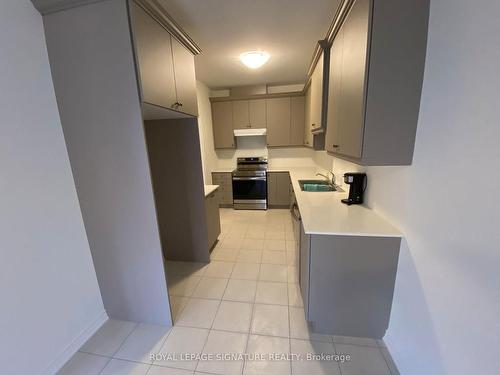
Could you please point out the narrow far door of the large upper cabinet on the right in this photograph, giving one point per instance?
(334, 94)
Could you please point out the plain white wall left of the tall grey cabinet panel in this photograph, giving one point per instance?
(50, 300)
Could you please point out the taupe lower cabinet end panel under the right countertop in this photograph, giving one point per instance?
(347, 283)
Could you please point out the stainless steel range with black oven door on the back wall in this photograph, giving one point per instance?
(250, 184)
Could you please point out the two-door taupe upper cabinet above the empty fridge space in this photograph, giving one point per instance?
(166, 67)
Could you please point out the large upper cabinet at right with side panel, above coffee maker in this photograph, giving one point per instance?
(375, 79)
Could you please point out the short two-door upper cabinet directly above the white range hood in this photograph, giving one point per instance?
(249, 114)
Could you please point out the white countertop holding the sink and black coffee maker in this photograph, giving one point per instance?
(324, 213)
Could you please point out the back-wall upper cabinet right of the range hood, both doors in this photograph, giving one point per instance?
(285, 121)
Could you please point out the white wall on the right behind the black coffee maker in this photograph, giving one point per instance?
(445, 317)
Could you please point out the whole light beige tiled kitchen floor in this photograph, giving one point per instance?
(246, 301)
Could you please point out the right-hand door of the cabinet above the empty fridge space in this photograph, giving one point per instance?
(185, 81)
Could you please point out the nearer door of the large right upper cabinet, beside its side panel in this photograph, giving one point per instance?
(354, 67)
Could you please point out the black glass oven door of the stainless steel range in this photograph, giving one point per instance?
(250, 192)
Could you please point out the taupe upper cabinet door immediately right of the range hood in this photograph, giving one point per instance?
(278, 122)
